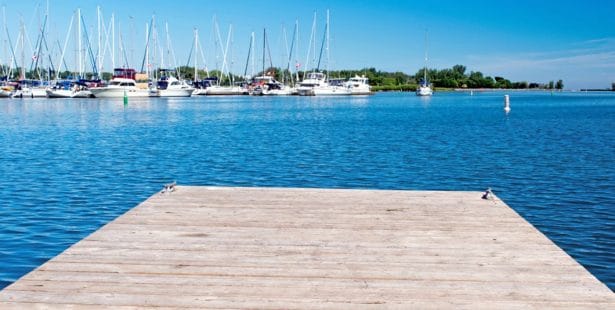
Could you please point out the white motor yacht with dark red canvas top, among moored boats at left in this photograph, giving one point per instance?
(122, 84)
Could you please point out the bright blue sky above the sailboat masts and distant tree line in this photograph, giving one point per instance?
(535, 41)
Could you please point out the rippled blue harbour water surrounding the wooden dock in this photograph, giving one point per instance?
(69, 166)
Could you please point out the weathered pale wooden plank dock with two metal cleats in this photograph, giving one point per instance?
(281, 248)
